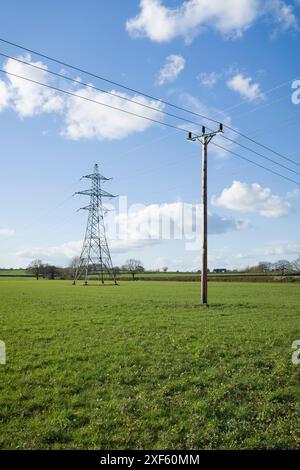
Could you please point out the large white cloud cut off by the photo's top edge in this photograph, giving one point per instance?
(231, 18)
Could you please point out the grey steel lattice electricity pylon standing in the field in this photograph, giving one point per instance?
(95, 256)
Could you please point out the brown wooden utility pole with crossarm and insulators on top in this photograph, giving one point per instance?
(205, 139)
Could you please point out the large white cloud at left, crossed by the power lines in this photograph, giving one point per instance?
(81, 118)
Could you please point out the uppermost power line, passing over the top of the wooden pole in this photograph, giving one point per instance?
(99, 77)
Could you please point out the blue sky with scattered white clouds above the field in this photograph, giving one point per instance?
(232, 60)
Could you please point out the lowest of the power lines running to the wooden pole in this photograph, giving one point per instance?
(139, 116)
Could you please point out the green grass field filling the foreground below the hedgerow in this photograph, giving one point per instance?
(142, 366)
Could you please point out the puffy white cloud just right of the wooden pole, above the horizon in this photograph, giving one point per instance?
(251, 198)
